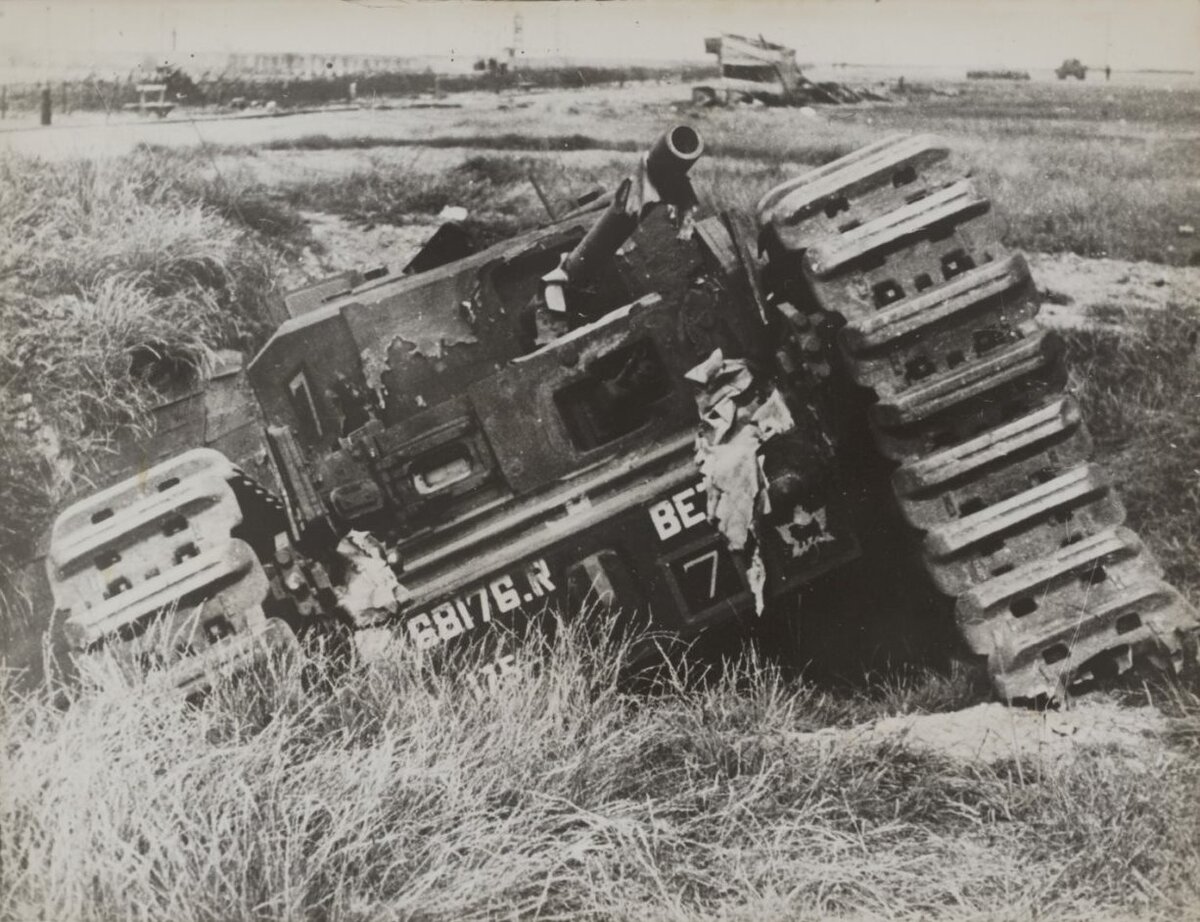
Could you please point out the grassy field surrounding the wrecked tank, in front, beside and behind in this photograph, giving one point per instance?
(398, 795)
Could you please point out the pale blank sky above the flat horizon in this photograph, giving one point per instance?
(1127, 34)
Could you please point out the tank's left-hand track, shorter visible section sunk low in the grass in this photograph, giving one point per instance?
(177, 571)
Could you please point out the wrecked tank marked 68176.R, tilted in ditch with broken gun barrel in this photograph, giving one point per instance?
(699, 421)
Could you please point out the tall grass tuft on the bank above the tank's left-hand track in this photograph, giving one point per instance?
(117, 283)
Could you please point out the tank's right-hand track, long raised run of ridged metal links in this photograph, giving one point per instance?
(899, 249)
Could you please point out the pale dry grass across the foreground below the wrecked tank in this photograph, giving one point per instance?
(400, 795)
